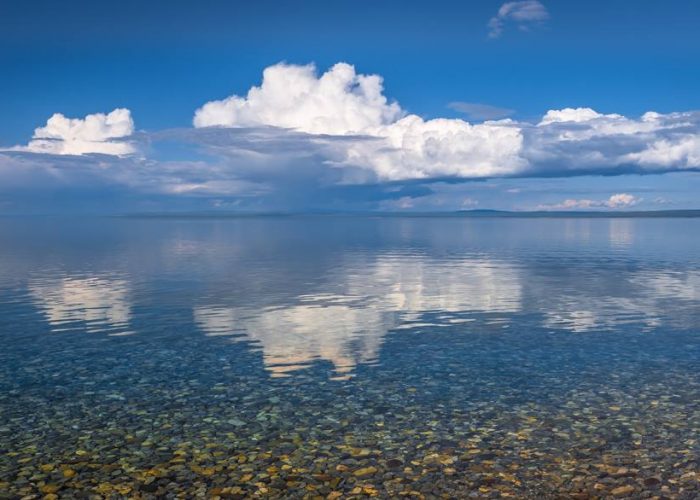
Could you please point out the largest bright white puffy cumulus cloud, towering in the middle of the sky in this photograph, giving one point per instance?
(342, 102)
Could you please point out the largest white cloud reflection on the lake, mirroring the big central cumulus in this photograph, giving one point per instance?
(348, 328)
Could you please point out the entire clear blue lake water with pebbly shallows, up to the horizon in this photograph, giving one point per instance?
(306, 356)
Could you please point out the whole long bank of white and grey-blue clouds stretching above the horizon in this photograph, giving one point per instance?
(304, 136)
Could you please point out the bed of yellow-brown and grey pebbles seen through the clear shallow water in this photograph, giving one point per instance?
(484, 434)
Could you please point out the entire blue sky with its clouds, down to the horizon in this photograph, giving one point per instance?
(349, 105)
